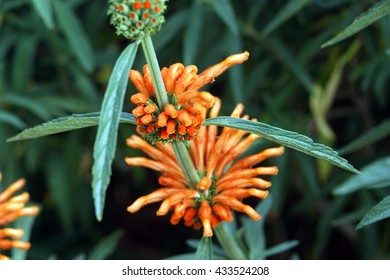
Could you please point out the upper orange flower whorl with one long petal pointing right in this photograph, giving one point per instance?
(182, 118)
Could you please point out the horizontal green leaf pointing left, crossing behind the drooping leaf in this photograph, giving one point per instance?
(63, 124)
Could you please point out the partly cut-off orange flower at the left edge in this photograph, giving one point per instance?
(11, 209)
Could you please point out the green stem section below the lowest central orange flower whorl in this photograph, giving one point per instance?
(228, 242)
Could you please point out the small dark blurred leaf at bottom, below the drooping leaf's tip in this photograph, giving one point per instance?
(106, 246)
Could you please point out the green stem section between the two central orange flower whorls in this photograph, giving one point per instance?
(186, 164)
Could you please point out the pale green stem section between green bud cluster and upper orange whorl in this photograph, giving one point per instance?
(154, 68)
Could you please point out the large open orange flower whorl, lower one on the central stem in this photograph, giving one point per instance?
(224, 184)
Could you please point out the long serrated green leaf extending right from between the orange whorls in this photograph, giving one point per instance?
(285, 138)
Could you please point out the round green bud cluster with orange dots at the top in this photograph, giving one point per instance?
(137, 19)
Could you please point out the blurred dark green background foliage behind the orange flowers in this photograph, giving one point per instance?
(56, 58)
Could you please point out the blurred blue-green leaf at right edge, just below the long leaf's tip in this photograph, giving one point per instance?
(374, 175)
